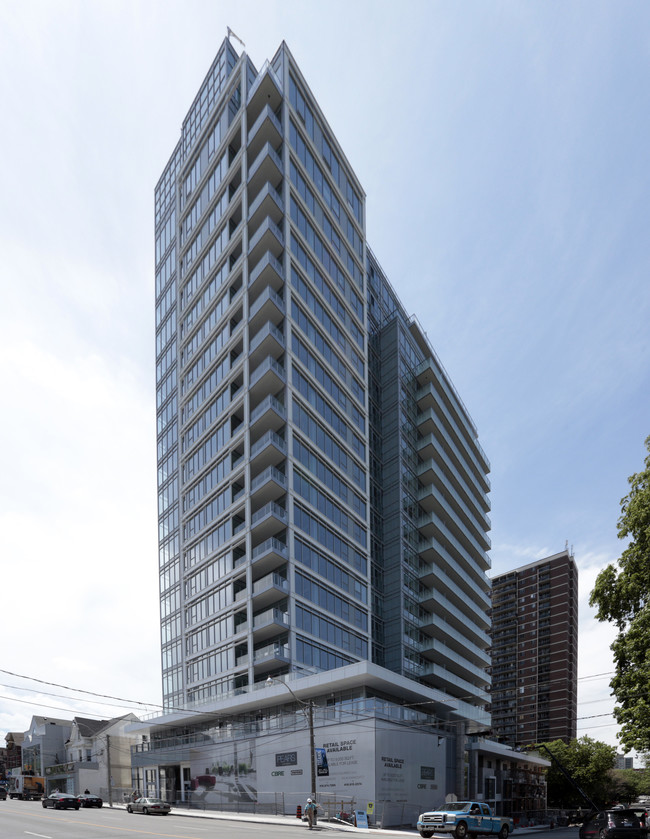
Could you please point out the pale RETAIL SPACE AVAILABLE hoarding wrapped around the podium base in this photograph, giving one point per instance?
(363, 761)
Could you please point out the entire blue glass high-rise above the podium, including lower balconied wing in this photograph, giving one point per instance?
(322, 493)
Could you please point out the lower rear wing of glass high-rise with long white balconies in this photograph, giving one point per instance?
(429, 492)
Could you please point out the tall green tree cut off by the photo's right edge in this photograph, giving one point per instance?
(622, 596)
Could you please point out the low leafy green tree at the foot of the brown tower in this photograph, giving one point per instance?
(588, 762)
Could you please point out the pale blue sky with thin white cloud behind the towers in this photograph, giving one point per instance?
(503, 147)
